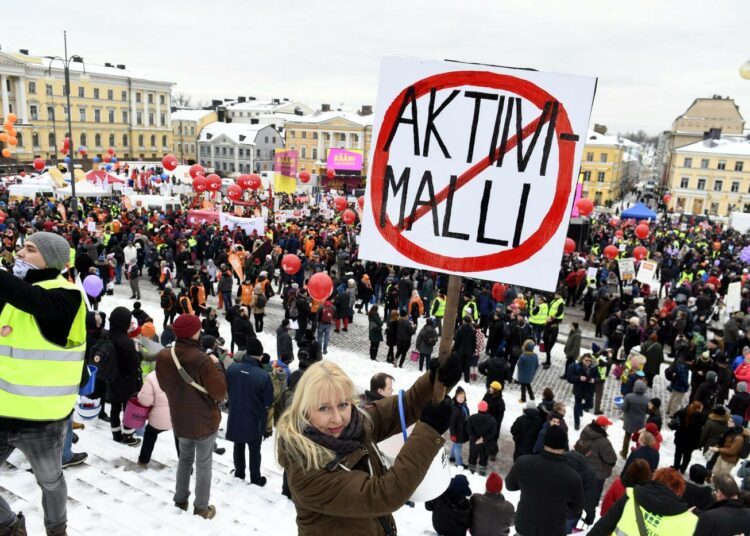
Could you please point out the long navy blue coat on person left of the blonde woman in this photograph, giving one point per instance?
(250, 395)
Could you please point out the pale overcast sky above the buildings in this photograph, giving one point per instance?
(652, 58)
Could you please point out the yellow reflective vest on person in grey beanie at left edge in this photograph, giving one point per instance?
(39, 380)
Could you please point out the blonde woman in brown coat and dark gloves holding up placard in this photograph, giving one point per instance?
(338, 479)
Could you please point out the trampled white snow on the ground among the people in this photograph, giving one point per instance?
(111, 495)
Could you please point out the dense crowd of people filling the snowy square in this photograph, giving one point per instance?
(682, 329)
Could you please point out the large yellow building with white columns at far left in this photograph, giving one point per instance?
(111, 107)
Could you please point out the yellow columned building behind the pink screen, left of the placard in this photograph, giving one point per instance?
(313, 135)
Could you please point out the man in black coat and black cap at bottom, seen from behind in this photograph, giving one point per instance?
(551, 492)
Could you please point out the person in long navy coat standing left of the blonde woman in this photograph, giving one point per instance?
(250, 395)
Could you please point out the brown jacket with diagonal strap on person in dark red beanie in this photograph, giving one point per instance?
(194, 414)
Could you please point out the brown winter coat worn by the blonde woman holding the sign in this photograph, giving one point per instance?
(344, 498)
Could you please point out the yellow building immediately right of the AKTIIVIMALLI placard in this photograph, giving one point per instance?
(609, 164)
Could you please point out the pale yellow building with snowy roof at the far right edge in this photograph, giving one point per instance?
(711, 177)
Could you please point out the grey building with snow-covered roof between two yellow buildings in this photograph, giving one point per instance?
(234, 148)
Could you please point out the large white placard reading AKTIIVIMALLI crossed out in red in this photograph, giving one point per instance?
(451, 189)
